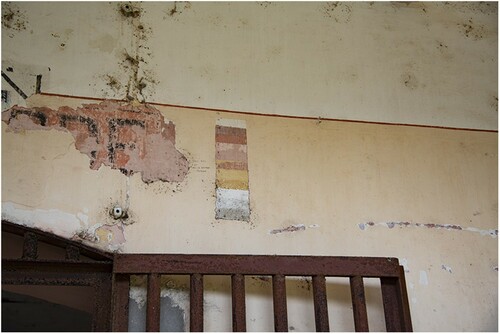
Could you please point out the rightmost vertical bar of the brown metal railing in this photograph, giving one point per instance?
(392, 309)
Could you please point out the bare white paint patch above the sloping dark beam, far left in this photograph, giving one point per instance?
(61, 223)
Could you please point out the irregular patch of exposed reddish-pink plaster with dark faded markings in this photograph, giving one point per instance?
(131, 138)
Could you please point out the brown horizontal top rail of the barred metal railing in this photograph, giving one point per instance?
(184, 264)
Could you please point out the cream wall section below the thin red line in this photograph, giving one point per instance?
(332, 177)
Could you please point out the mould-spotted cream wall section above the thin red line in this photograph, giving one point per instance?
(420, 63)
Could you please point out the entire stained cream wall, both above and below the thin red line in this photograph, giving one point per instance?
(425, 195)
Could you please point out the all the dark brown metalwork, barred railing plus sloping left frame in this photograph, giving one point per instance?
(109, 275)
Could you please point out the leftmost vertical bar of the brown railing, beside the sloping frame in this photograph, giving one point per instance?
(121, 290)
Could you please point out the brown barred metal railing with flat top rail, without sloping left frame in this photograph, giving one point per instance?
(391, 274)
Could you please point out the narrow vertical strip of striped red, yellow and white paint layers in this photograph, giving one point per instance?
(231, 181)
